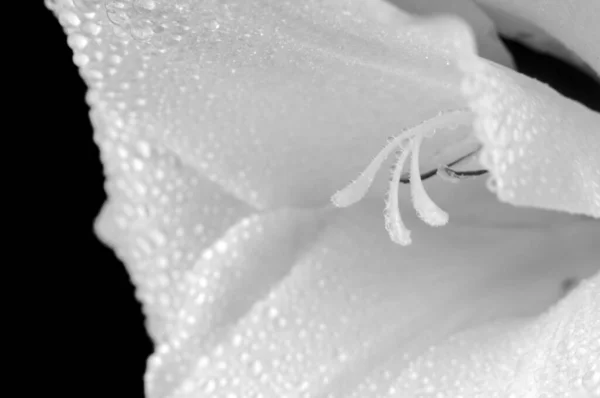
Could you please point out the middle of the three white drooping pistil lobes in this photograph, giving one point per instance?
(393, 222)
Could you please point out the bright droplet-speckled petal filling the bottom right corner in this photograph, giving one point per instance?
(555, 355)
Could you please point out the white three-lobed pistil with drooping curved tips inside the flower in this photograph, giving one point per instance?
(407, 143)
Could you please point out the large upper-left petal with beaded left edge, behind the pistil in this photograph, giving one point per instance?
(202, 107)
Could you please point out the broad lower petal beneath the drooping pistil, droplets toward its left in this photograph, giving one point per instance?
(344, 309)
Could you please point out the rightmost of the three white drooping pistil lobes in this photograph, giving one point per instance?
(426, 209)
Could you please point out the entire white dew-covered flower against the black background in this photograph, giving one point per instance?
(349, 198)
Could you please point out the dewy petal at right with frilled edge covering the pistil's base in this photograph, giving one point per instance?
(541, 148)
